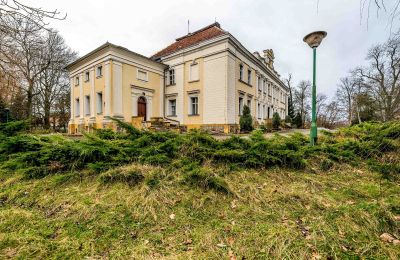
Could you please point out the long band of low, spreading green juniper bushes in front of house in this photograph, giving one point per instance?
(37, 156)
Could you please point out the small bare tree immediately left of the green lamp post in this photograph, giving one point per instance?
(301, 96)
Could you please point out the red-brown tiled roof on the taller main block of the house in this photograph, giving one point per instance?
(206, 33)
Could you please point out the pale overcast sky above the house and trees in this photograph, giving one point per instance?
(148, 26)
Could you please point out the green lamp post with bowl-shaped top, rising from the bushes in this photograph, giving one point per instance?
(314, 39)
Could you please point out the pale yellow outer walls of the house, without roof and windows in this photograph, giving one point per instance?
(128, 77)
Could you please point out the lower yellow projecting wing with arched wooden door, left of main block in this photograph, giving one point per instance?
(112, 81)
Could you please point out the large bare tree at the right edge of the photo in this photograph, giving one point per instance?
(382, 77)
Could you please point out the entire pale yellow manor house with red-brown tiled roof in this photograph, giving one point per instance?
(202, 80)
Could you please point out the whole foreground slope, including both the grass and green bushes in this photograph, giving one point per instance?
(208, 200)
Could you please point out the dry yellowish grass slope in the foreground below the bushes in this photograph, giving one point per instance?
(275, 214)
